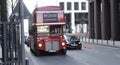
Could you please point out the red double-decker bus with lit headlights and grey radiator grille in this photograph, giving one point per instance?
(47, 33)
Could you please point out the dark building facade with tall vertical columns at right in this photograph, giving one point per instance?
(104, 19)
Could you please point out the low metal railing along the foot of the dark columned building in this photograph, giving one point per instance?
(86, 40)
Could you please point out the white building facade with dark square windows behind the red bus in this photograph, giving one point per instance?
(76, 12)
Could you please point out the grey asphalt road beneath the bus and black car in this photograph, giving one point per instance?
(96, 55)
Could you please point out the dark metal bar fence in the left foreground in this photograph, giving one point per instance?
(11, 45)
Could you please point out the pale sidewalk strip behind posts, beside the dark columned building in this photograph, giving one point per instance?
(101, 42)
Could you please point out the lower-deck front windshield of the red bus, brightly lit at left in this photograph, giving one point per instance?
(49, 30)
